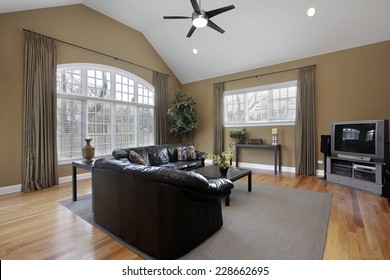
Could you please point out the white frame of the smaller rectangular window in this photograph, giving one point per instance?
(245, 92)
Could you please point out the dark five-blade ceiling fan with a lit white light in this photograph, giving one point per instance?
(201, 18)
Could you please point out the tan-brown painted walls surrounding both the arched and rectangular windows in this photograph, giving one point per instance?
(350, 85)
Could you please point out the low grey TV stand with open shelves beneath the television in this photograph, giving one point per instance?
(363, 175)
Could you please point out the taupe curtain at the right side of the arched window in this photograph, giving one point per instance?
(160, 83)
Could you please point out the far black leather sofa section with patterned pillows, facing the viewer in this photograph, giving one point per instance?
(162, 155)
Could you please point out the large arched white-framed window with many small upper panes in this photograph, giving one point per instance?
(113, 107)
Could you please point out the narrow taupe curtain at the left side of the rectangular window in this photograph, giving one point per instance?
(218, 118)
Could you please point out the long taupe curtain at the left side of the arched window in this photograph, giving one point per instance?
(39, 155)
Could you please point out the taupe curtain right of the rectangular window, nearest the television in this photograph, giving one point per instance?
(305, 157)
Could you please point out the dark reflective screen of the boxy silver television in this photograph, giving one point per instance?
(355, 138)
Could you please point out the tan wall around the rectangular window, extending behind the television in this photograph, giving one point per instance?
(350, 85)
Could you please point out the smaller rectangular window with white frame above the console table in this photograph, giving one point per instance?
(269, 104)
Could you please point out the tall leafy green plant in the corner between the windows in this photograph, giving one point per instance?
(183, 114)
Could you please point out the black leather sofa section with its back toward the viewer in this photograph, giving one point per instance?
(164, 212)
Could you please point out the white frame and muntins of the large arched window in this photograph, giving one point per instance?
(139, 83)
